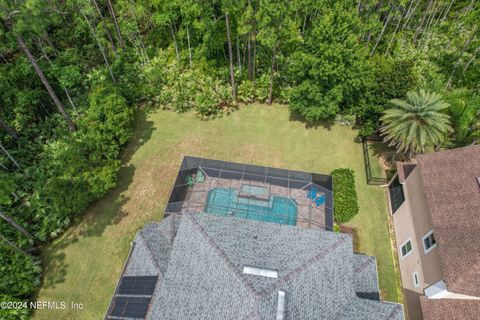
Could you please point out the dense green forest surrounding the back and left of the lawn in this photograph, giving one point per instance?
(74, 72)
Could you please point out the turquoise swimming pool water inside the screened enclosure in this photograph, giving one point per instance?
(227, 202)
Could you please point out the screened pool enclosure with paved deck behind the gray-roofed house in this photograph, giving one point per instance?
(253, 192)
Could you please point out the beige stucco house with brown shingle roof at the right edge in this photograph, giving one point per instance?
(435, 203)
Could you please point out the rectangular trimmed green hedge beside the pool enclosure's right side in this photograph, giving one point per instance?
(344, 195)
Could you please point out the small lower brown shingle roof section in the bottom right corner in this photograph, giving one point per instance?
(450, 309)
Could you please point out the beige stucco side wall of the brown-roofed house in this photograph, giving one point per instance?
(412, 221)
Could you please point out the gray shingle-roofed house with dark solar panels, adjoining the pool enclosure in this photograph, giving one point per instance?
(203, 266)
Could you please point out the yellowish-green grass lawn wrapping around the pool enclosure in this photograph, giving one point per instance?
(83, 265)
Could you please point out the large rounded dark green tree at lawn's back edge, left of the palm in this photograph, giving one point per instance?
(328, 71)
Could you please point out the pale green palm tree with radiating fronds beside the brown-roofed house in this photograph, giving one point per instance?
(416, 123)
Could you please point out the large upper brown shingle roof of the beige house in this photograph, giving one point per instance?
(453, 198)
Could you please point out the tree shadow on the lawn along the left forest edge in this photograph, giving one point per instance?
(101, 213)
